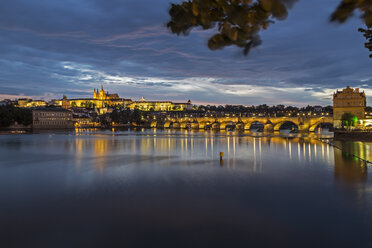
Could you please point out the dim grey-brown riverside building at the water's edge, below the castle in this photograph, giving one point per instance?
(52, 118)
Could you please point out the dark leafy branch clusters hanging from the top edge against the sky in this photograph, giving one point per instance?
(238, 22)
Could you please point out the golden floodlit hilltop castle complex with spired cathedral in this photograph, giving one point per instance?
(102, 99)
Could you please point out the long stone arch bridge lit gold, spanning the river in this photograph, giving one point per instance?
(304, 124)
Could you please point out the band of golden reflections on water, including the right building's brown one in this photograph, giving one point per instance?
(240, 151)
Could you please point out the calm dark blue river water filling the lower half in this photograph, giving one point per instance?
(157, 188)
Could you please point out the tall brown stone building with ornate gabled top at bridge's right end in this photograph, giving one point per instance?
(348, 100)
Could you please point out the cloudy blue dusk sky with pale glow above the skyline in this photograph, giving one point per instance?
(51, 48)
